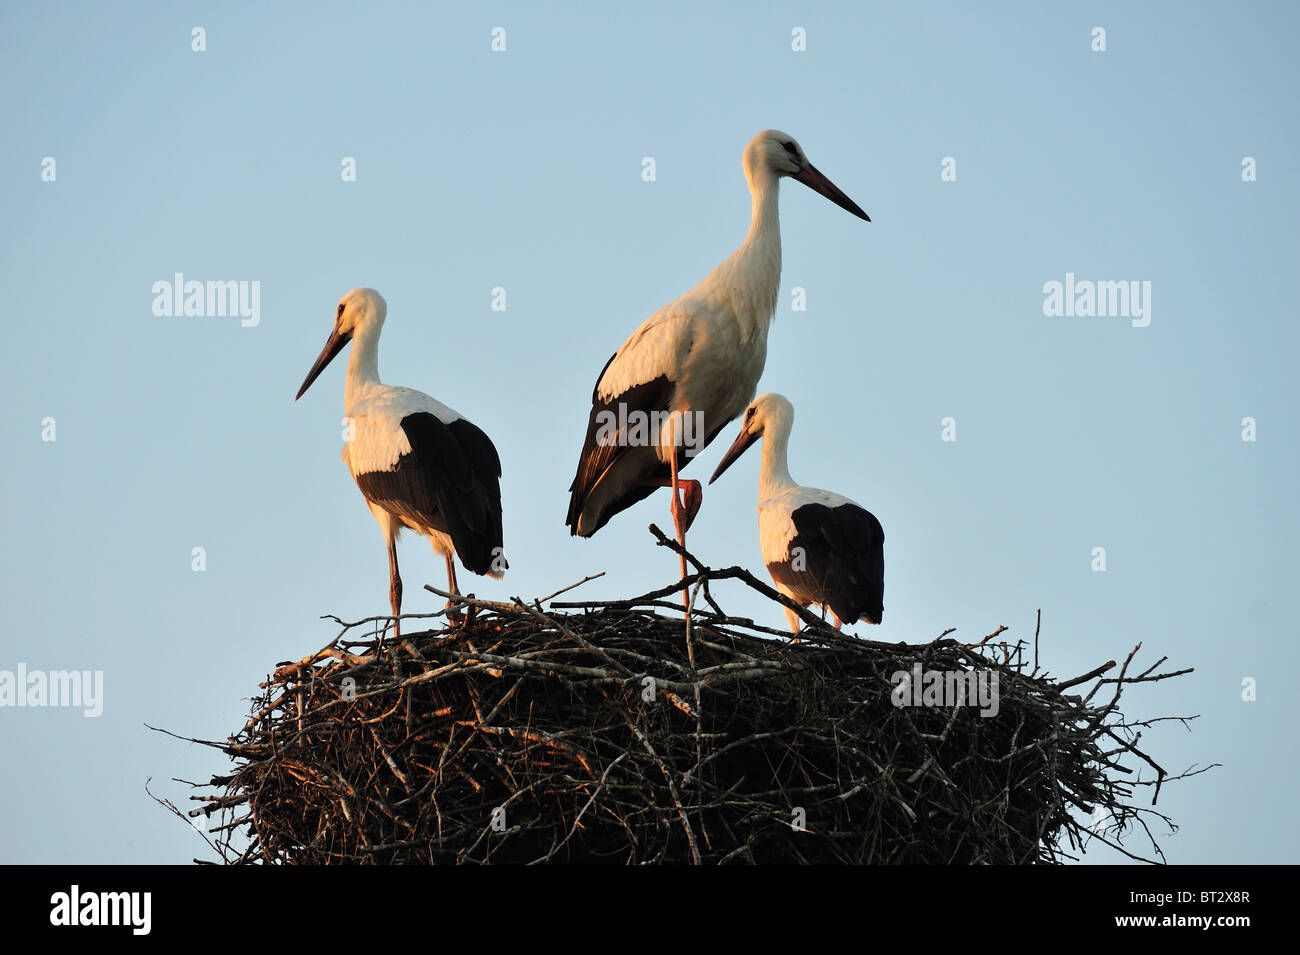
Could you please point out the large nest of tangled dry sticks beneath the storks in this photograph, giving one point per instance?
(616, 732)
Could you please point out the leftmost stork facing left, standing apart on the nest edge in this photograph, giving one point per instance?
(419, 465)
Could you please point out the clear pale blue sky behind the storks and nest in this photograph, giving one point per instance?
(522, 170)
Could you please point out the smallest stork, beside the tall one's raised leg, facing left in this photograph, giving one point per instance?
(820, 546)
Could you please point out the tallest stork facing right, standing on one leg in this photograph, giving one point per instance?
(694, 366)
